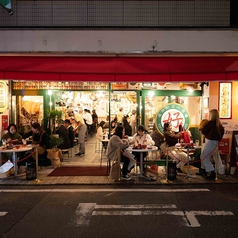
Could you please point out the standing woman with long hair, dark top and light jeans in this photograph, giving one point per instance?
(213, 132)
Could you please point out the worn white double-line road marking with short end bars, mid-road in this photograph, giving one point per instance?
(188, 217)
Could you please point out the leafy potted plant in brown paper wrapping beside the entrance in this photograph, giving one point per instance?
(54, 153)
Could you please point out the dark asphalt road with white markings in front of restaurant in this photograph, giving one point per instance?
(109, 211)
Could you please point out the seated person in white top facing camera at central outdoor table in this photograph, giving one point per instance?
(141, 138)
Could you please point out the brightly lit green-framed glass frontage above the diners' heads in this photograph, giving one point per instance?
(33, 98)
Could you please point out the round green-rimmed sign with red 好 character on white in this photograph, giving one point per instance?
(174, 113)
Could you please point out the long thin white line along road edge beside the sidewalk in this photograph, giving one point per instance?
(98, 190)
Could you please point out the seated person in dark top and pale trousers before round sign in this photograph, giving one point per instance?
(171, 139)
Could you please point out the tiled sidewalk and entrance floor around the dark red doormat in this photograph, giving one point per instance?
(92, 158)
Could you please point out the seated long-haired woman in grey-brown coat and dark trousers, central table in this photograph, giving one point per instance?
(116, 143)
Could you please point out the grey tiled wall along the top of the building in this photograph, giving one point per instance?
(159, 13)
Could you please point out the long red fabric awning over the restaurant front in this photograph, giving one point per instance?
(119, 68)
